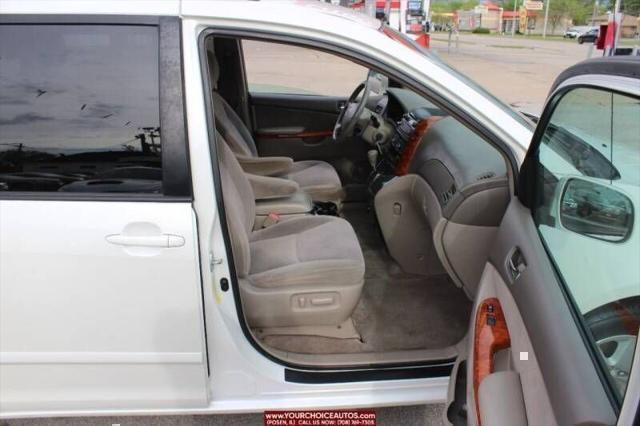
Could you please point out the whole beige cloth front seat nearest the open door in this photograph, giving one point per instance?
(302, 271)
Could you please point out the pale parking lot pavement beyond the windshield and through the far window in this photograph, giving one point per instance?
(518, 70)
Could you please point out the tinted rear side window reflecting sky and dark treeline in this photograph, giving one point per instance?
(79, 109)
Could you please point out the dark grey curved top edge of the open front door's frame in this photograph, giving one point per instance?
(621, 66)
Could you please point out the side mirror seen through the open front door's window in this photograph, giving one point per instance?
(595, 210)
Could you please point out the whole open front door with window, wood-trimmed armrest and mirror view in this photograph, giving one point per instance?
(556, 316)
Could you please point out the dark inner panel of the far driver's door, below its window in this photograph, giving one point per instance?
(298, 126)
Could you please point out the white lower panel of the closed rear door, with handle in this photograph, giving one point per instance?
(86, 324)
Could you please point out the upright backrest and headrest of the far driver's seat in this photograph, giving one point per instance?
(228, 123)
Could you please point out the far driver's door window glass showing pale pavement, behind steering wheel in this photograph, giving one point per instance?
(282, 68)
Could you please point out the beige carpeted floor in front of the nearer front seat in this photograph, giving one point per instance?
(397, 311)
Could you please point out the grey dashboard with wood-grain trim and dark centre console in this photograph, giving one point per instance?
(413, 136)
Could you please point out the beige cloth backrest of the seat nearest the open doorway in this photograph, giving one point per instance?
(240, 206)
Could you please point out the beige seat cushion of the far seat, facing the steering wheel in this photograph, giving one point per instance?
(318, 179)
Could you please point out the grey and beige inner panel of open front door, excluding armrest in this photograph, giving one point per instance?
(541, 325)
